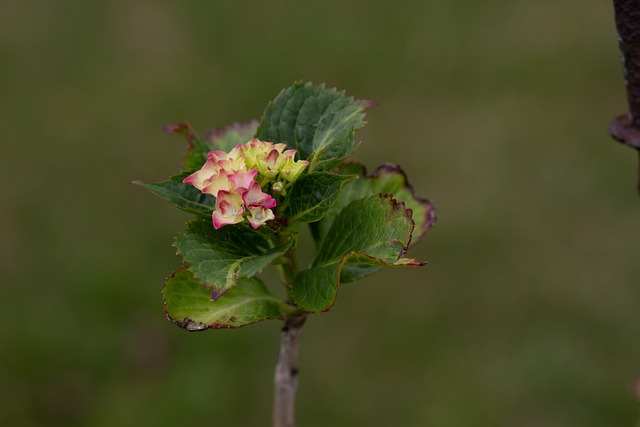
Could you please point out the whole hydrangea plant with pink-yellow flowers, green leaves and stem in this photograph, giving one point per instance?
(251, 187)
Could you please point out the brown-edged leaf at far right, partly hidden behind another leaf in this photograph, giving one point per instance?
(386, 179)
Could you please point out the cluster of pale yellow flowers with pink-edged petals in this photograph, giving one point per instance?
(235, 180)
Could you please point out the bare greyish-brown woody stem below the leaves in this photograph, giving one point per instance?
(285, 380)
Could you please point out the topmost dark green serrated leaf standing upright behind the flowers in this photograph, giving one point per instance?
(318, 122)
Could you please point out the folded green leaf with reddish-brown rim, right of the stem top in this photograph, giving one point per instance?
(374, 231)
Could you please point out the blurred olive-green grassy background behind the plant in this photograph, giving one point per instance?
(527, 314)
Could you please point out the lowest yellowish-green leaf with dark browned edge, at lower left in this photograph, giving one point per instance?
(187, 303)
